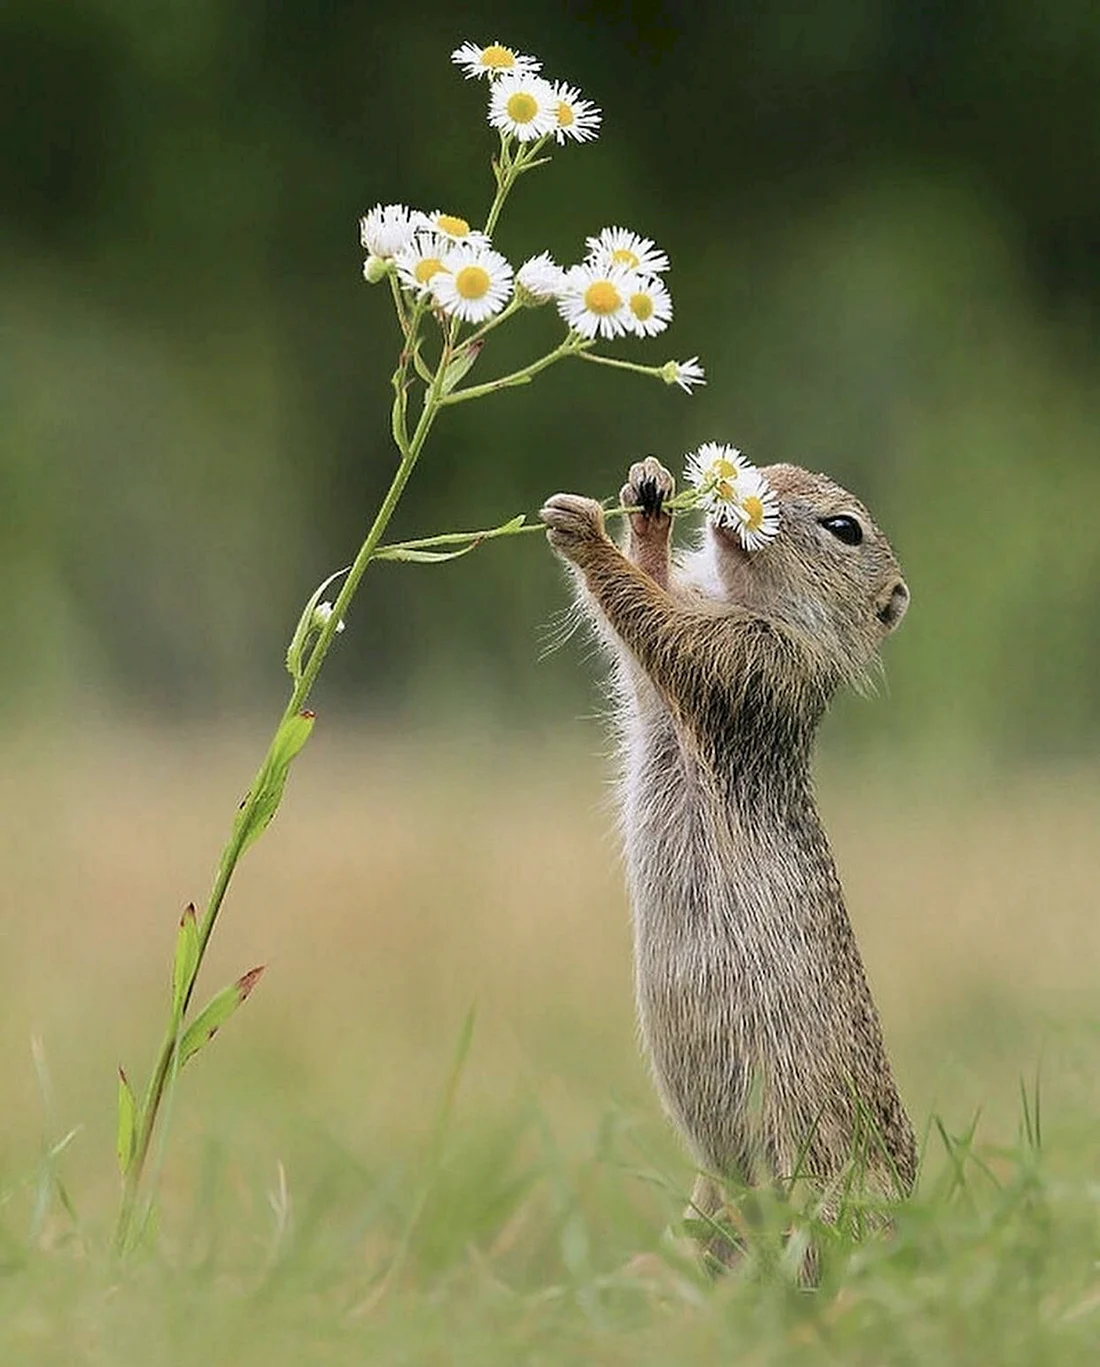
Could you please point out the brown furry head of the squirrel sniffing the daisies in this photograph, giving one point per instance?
(830, 576)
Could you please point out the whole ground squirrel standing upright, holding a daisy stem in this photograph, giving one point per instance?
(752, 1000)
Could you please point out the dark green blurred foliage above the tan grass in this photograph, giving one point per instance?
(883, 222)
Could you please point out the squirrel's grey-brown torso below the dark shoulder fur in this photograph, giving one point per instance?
(752, 999)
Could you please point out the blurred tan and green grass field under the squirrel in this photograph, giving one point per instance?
(359, 1175)
